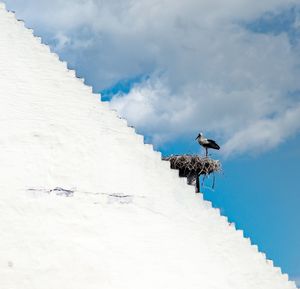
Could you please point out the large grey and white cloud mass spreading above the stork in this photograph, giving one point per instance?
(204, 70)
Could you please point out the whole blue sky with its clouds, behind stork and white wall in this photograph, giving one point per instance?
(173, 68)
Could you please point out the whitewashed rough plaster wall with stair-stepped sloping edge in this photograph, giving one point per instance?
(85, 203)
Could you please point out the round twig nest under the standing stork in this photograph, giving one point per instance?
(192, 166)
